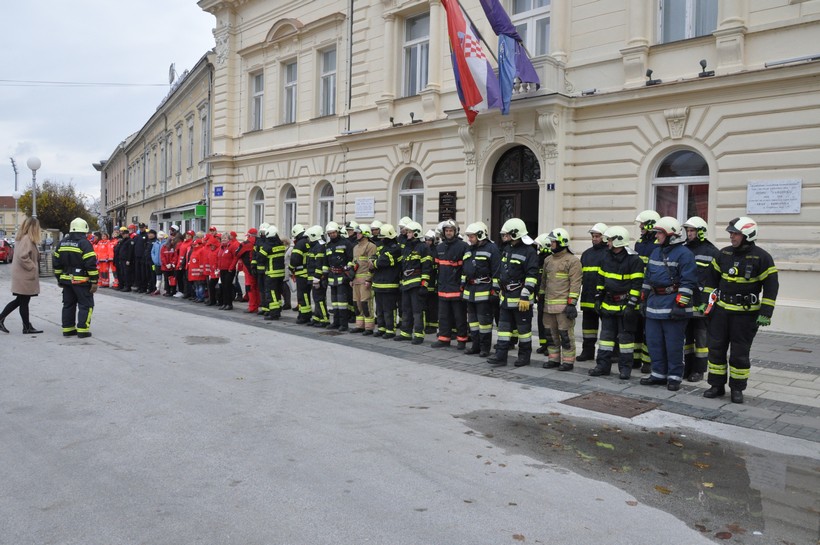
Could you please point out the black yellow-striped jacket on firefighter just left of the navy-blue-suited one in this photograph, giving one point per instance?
(620, 278)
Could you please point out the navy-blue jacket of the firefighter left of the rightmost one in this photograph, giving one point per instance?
(669, 283)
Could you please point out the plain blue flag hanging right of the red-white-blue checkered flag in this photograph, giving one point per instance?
(513, 61)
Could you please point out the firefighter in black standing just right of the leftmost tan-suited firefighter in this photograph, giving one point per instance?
(386, 277)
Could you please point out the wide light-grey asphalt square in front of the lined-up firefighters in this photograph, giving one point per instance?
(168, 428)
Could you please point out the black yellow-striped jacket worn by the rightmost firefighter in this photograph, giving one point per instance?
(739, 275)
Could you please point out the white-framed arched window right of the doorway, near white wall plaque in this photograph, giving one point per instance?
(681, 186)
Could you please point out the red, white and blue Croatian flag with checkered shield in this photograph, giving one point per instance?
(476, 82)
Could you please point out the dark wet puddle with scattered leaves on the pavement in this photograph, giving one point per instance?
(731, 493)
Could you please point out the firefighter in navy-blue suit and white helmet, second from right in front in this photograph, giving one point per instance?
(670, 281)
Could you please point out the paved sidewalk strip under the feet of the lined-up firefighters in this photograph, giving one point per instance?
(783, 396)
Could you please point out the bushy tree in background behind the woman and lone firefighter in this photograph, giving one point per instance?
(57, 205)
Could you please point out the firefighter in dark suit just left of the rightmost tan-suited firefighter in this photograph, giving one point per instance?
(518, 280)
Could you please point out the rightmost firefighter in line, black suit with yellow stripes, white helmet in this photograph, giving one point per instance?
(737, 277)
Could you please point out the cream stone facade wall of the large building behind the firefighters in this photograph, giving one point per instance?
(598, 131)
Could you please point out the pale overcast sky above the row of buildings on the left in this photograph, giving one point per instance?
(70, 127)
